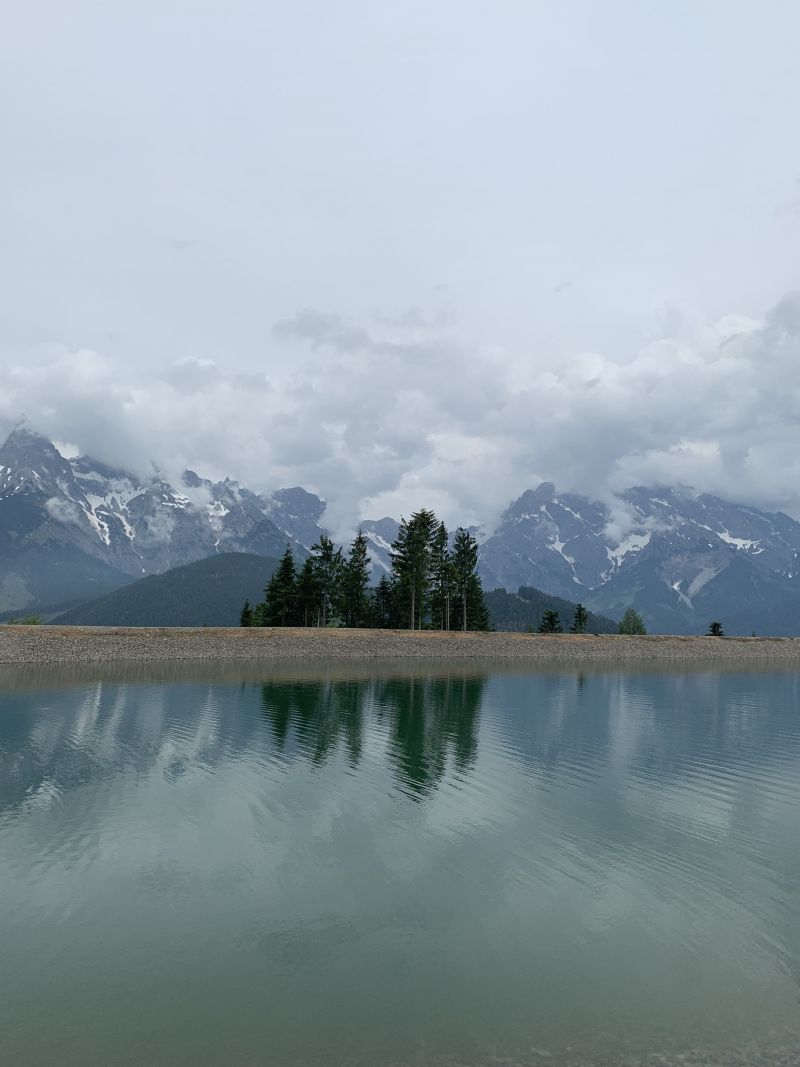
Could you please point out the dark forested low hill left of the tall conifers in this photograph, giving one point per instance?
(210, 593)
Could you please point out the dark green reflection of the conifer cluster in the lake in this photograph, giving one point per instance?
(428, 720)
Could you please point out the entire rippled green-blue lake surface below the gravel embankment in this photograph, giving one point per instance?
(401, 867)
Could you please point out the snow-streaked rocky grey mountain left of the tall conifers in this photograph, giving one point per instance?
(76, 528)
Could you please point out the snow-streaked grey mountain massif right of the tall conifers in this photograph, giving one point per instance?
(678, 556)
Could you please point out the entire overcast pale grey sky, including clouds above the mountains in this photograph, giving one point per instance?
(408, 256)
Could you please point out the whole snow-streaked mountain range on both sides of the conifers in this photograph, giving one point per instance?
(74, 529)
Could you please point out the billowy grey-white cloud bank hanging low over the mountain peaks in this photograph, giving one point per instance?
(381, 418)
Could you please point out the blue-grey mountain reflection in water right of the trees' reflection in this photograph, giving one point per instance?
(650, 722)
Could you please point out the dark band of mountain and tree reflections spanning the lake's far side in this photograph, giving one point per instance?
(652, 725)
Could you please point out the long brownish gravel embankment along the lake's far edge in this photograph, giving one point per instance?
(41, 645)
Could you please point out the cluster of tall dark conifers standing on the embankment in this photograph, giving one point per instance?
(434, 585)
